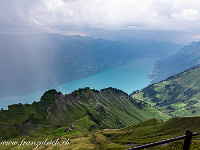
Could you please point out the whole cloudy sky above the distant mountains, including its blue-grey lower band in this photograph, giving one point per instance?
(175, 20)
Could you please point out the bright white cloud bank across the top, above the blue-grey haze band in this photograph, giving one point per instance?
(77, 15)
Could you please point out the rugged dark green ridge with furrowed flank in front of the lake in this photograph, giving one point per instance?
(108, 108)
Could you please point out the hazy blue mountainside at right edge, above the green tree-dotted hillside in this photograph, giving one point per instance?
(185, 58)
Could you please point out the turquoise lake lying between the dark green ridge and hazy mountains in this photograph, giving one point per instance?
(128, 77)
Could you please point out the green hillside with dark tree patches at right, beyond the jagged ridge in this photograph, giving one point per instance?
(178, 95)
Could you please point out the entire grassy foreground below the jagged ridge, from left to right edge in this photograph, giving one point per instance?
(86, 135)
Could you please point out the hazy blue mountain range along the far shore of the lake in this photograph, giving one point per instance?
(41, 61)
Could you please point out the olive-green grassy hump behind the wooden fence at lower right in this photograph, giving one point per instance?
(154, 130)
